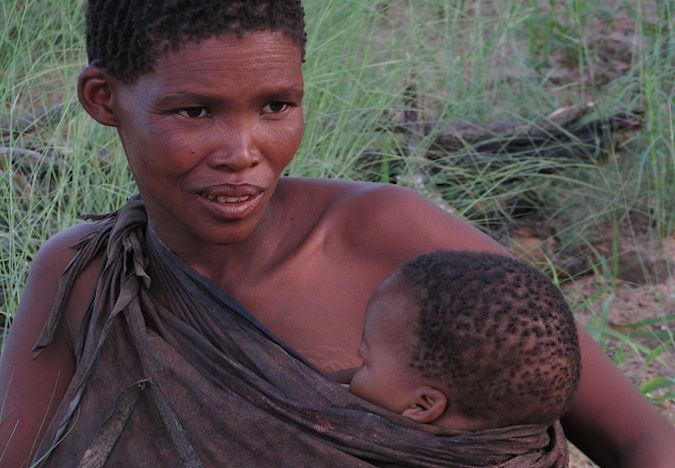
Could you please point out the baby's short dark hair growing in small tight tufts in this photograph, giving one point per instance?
(497, 333)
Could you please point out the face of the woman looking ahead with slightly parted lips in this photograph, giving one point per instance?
(208, 133)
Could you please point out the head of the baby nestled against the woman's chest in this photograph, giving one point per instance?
(469, 341)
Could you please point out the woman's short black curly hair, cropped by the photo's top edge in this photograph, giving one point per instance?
(125, 37)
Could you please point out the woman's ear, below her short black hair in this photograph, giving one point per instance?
(95, 91)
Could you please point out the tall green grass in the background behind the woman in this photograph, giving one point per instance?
(367, 62)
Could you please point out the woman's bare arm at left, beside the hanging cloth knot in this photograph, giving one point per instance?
(31, 389)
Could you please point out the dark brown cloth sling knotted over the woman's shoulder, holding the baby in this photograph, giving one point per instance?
(171, 370)
